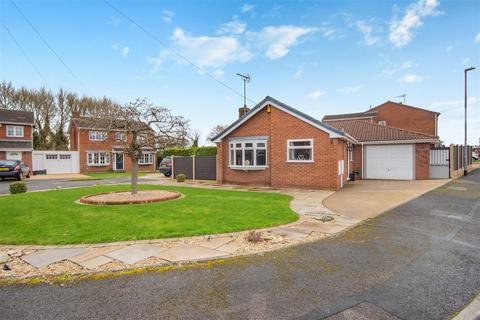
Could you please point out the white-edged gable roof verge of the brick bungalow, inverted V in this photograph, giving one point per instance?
(269, 100)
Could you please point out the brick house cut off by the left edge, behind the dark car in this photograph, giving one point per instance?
(16, 135)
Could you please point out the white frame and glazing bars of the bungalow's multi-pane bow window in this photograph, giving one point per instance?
(232, 146)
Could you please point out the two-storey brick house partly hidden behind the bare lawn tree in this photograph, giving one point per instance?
(101, 146)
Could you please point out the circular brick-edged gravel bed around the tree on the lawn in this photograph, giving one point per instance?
(126, 197)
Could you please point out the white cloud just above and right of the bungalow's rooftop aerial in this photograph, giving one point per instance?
(278, 40)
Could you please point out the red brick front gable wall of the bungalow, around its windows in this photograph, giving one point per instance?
(279, 127)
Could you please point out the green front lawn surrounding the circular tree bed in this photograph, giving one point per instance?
(53, 217)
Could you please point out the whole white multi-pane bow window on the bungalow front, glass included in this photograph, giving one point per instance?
(248, 154)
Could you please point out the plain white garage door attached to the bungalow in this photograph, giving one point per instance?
(389, 162)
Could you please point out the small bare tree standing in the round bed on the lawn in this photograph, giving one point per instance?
(147, 128)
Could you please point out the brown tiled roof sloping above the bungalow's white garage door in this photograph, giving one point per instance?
(364, 131)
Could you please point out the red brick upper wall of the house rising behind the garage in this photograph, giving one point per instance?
(407, 118)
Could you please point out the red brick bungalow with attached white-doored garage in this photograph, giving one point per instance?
(276, 145)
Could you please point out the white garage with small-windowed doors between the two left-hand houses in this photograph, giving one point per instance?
(56, 161)
